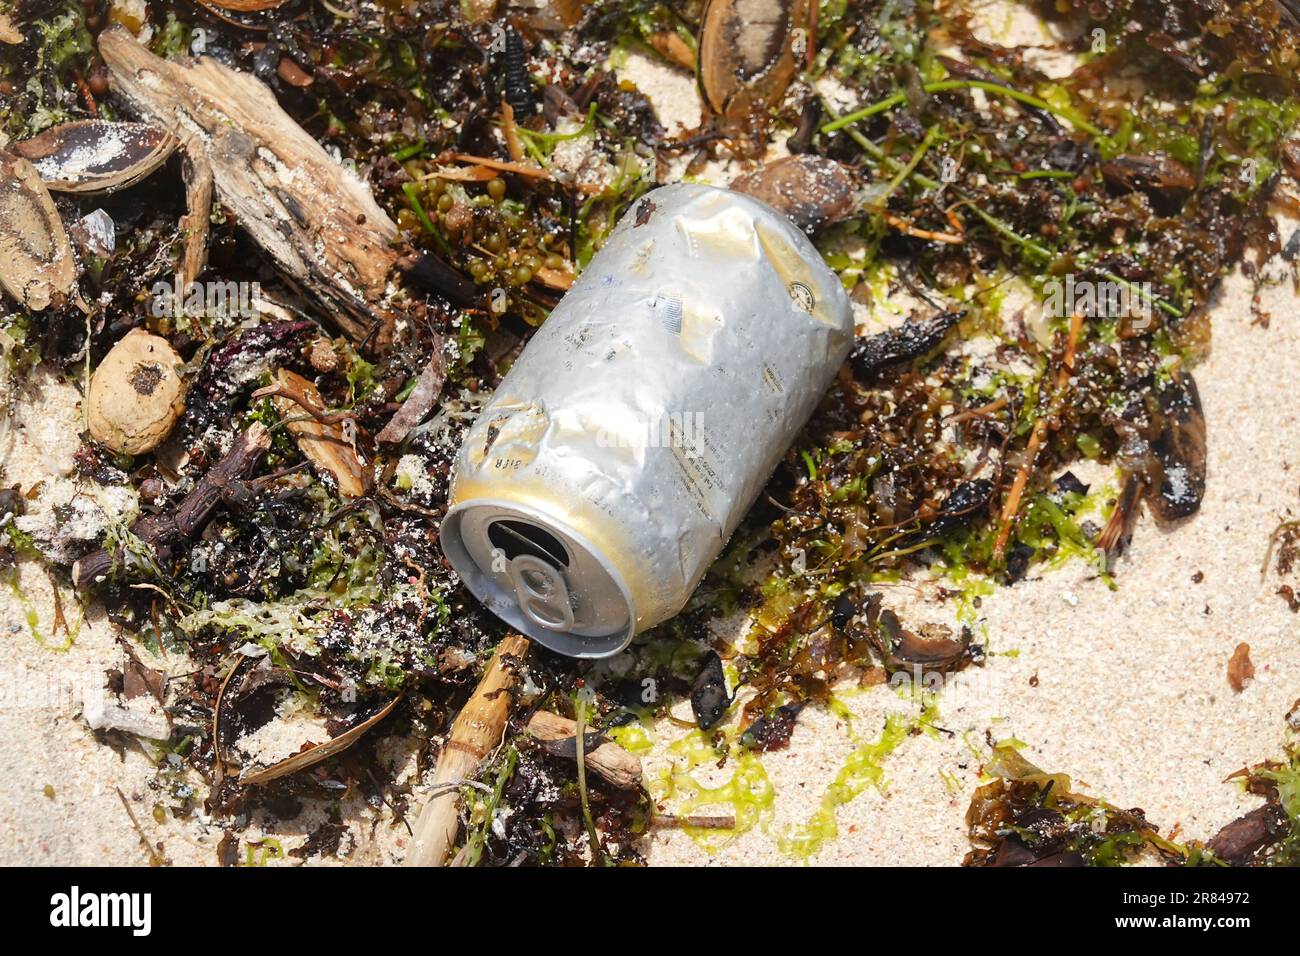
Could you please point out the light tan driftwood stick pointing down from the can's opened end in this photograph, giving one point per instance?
(475, 733)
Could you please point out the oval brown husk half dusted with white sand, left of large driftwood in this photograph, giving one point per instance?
(97, 155)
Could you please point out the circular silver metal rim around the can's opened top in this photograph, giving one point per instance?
(504, 604)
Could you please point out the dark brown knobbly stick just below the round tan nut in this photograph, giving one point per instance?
(161, 533)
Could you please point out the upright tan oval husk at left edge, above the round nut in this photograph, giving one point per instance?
(37, 265)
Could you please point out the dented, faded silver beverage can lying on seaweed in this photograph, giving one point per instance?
(636, 429)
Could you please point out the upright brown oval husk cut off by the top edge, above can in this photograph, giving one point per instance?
(748, 53)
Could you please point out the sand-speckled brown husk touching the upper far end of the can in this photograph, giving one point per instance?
(812, 192)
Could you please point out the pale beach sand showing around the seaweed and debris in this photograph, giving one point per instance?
(1132, 695)
